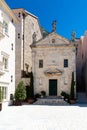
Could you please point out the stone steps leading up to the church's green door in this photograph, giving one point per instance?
(50, 102)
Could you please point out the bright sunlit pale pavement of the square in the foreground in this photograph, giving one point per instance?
(37, 117)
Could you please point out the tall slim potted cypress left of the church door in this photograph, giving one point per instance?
(31, 90)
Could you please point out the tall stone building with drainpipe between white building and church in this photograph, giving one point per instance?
(24, 30)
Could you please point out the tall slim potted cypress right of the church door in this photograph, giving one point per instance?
(72, 91)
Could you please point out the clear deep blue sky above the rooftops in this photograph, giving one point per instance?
(70, 14)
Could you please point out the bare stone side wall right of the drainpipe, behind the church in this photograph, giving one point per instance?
(30, 26)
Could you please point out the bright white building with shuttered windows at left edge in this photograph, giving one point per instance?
(7, 50)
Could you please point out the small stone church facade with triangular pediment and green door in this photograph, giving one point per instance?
(53, 64)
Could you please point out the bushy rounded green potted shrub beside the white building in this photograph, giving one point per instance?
(20, 93)
